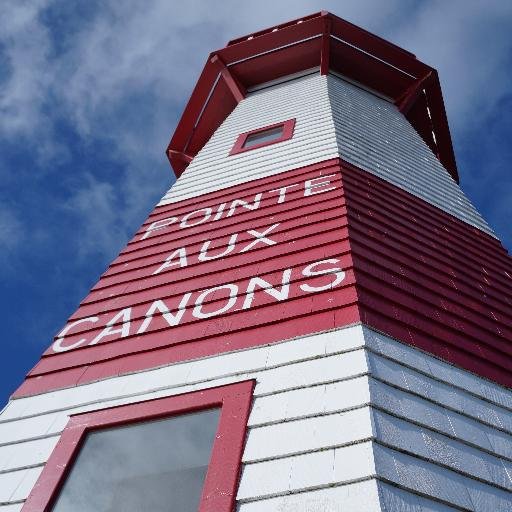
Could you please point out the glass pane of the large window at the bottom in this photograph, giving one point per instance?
(153, 466)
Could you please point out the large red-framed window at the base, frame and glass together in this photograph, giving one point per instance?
(179, 453)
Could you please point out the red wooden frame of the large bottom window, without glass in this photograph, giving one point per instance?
(221, 481)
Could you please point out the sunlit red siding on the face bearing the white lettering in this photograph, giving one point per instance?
(310, 228)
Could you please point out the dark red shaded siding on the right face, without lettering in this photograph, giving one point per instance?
(428, 279)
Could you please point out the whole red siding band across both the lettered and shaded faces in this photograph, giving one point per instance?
(412, 271)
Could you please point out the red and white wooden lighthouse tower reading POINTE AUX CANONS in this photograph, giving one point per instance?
(313, 318)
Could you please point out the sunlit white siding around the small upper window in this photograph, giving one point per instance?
(306, 99)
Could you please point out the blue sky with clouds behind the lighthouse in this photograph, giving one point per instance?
(90, 92)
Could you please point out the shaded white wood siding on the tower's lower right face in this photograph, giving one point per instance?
(439, 431)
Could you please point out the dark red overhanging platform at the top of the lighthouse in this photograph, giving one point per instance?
(322, 42)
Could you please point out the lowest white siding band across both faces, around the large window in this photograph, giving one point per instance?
(339, 419)
